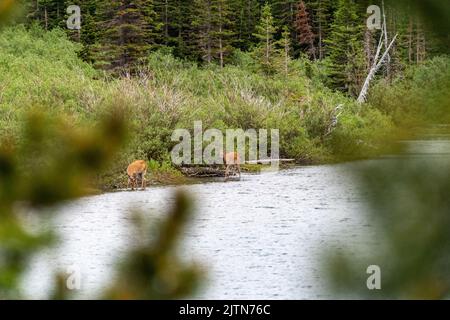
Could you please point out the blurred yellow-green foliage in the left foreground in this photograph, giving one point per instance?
(51, 163)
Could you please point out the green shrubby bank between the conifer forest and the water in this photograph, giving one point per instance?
(42, 69)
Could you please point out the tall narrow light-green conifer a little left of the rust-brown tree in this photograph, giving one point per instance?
(264, 32)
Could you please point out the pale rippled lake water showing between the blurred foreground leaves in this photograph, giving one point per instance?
(259, 238)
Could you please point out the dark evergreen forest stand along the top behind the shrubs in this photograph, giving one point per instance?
(118, 34)
